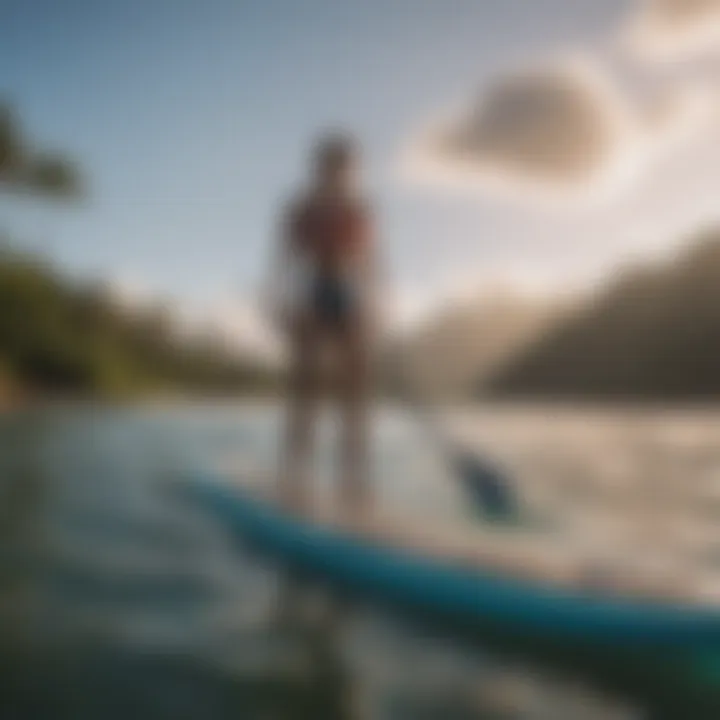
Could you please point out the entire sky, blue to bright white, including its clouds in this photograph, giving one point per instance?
(536, 143)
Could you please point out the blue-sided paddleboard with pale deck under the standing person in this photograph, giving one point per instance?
(498, 585)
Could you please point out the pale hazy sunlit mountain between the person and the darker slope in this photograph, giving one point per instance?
(464, 342)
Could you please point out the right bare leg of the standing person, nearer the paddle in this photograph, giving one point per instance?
(353, 375)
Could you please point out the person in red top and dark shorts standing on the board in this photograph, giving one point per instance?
(327, 283)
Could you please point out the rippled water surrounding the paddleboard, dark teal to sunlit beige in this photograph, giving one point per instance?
(122, 599)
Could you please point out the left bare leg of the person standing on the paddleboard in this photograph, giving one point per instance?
(302, 405)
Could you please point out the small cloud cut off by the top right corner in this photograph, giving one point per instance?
(674, 29)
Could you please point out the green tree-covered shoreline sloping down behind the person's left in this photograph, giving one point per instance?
(61, 338)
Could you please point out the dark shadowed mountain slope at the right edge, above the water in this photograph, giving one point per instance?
(653, 333)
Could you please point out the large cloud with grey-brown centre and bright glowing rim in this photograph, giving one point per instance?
(556, 130)
